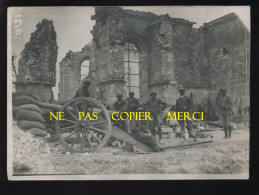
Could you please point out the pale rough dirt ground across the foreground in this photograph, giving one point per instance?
(222, 156)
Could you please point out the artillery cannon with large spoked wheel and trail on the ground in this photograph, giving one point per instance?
(82, 135)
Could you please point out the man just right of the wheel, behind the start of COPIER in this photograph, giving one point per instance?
(121, 106)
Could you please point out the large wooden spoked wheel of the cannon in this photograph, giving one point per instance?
(91, 132)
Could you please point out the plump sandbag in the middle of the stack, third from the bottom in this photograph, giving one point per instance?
(29, 116)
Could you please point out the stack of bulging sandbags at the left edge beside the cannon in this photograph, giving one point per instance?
(28, 114)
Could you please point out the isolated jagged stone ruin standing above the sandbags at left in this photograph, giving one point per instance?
(37, 64)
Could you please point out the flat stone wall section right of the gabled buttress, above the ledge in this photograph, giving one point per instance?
(188, 55)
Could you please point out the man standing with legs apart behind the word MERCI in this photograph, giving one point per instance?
(184, 104)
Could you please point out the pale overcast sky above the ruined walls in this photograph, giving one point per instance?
(73, 24)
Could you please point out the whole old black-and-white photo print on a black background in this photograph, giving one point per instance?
(128, 93)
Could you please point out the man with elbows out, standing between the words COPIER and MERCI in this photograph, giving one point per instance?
(155, 106)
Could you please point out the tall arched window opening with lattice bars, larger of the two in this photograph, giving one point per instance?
(131, 65)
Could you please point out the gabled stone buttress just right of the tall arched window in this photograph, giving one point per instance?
(162, 78)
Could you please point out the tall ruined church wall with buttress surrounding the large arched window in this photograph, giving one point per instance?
(172, 53)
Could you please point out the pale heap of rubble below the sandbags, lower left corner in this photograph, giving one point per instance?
(27, 150)
